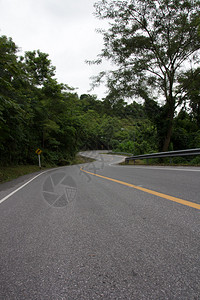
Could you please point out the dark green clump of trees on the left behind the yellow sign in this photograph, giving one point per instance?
(35, 110)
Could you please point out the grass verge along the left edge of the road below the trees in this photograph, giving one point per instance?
(13, 172)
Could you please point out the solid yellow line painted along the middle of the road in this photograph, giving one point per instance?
(171, 198)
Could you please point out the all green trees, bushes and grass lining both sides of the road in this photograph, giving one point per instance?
(152, 105)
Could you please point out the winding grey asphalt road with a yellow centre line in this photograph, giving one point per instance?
(102, 232)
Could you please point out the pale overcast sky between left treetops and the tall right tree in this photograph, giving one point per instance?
(65, 29)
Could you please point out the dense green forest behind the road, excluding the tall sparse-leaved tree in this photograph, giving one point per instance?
(36, 111)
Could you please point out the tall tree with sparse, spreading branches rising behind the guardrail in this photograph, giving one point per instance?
(149, 41)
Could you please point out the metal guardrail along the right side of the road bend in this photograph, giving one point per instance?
(187, 152)
